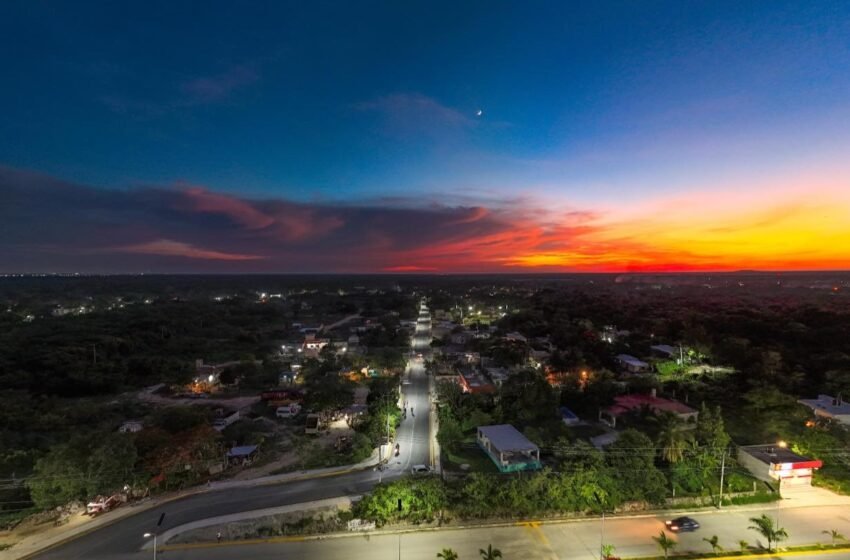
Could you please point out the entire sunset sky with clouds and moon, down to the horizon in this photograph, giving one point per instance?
(424, 136)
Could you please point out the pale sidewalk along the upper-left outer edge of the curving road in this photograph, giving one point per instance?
(53, 536)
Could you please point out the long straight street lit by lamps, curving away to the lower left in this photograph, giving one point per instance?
(125, 536)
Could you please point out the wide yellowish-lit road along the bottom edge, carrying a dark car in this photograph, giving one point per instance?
(578, 540)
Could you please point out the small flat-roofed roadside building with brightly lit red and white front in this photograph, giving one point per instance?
(775, 463)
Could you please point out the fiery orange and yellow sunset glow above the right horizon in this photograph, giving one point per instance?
(776, 229)
